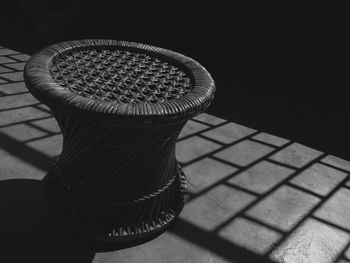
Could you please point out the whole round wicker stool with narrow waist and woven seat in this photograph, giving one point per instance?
(120, 106)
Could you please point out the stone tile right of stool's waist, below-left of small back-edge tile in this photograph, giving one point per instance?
(244, 153)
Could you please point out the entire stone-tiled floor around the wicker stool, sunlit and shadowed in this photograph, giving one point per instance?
(255, 197)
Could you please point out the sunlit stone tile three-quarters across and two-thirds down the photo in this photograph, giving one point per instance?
(261, 177)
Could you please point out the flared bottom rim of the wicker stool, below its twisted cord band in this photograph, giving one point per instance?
(59, 201)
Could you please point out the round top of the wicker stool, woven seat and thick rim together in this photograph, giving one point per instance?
(118, 77)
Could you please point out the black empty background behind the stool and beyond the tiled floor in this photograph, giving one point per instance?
(279, 69)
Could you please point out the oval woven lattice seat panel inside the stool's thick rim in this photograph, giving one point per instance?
(119, 75)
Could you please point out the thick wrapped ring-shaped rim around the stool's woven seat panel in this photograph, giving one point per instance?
(41, 84)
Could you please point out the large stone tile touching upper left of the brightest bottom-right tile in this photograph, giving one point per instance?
(283, 208)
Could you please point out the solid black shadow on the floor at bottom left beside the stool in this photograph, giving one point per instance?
(27, 233)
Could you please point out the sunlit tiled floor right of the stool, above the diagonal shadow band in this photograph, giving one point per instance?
(279, 199)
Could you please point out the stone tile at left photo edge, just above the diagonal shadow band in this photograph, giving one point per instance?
(22, 132)
